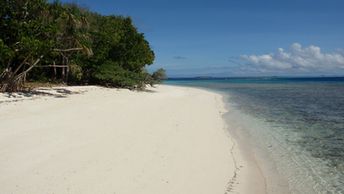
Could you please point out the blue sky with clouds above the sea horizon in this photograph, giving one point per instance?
(225, 38)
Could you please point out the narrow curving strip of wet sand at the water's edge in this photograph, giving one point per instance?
(261, 170)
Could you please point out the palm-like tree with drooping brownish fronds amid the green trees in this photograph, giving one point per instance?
(71, 39)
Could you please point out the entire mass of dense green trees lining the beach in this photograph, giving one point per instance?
(41, 41)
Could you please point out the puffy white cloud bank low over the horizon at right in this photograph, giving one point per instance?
(297, 59)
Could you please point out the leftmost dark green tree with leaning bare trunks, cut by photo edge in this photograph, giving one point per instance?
(24, 40)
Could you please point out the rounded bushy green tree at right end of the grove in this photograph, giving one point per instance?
(121, 53)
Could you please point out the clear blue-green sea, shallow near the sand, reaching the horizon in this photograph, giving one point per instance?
(295, 125)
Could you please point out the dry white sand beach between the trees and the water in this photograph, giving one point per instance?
(97, 140)
